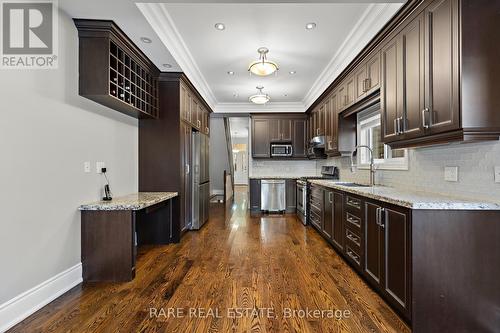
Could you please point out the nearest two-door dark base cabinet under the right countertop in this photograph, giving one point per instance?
(387, 253)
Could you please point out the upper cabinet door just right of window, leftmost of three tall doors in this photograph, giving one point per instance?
(391, 96)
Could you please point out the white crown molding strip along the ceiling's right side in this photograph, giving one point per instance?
(370, 23)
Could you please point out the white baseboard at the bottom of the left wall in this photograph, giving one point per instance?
(22, 306)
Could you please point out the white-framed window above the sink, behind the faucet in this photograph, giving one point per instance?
(369, 134)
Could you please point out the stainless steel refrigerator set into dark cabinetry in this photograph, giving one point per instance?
(200, 180)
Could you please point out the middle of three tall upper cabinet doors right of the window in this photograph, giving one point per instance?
(412, 37)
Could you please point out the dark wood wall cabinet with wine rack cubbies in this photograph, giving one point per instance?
(114, 72)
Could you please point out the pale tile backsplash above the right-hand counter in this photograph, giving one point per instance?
(476, 162)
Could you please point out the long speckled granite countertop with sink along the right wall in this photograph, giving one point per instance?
(411, 199)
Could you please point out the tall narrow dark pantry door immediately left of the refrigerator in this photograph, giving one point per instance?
(186, 190)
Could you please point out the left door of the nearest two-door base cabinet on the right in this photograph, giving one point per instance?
(373, 244)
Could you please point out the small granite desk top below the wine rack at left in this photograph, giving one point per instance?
(134, 201)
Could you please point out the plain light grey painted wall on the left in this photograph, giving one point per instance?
(47, 132)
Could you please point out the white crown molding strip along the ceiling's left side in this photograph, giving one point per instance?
(162, 23)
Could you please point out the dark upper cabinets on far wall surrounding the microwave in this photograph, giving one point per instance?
(282, 128)
